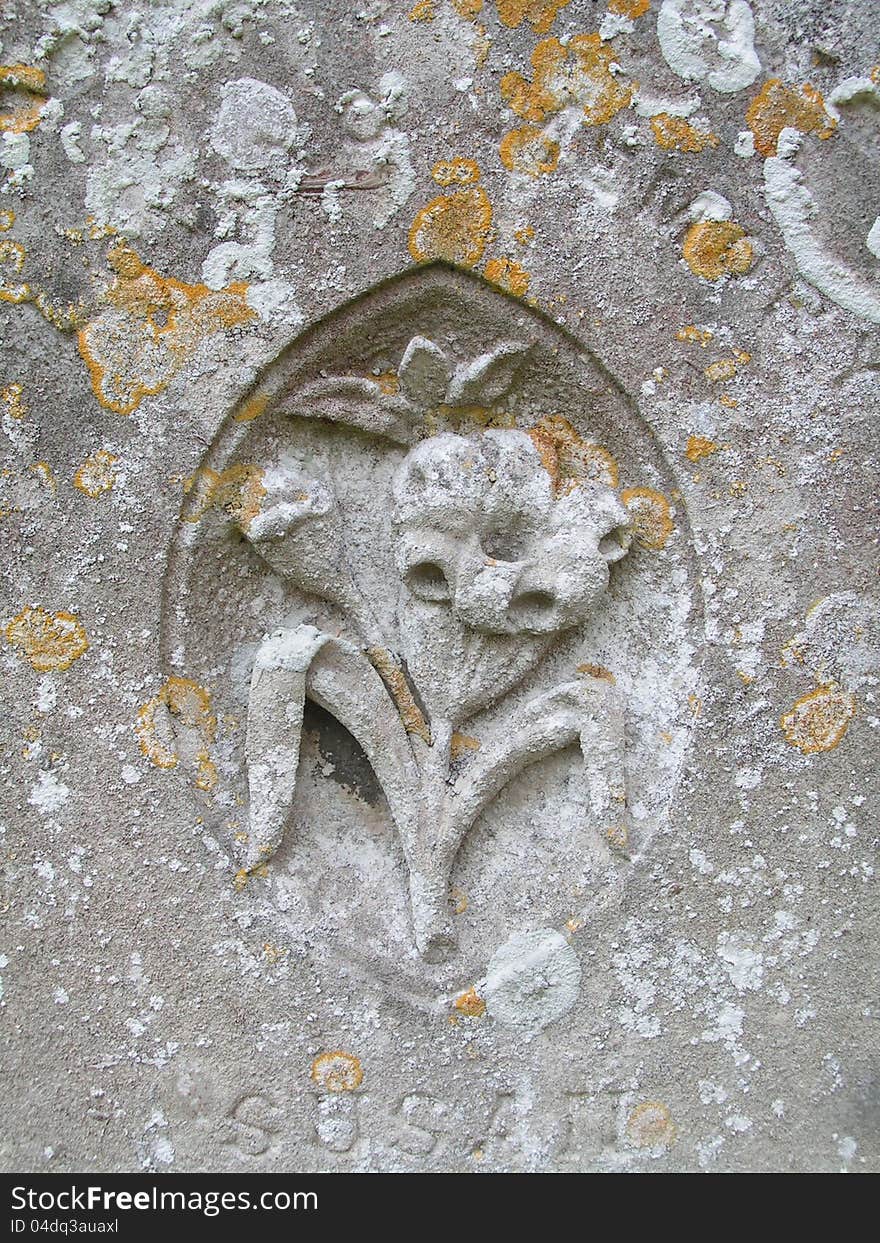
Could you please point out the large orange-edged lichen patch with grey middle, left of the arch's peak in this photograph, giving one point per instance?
(152, 326)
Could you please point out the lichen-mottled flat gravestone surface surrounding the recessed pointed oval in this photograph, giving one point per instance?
(689, 187)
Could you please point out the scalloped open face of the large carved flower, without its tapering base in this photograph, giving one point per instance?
(479, 530)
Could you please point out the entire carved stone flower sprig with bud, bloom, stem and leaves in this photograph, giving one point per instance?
(498, 556)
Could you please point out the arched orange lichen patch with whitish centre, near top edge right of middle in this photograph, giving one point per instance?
(577, 74)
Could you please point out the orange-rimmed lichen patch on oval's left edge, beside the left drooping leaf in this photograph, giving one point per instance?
(185, 702)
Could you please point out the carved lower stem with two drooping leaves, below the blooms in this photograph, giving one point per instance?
(432, 810)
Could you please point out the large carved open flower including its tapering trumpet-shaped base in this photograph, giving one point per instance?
(495, 566)
